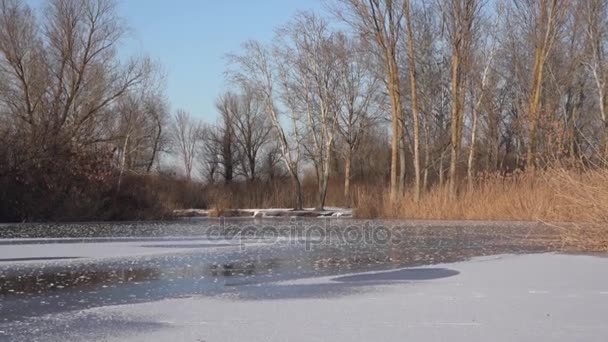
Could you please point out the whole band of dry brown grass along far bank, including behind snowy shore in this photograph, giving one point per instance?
(574, 203)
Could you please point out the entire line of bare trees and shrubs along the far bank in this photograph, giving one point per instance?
(419, 95)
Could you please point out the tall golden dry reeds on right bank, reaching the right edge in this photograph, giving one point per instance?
(575, 203)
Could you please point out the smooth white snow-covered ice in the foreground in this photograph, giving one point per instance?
(542, 297)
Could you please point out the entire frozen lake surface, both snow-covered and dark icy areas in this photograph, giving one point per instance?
(312, 280)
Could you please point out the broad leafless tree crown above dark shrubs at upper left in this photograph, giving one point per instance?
(65, 75)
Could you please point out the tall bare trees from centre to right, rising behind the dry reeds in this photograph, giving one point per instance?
(466, 88)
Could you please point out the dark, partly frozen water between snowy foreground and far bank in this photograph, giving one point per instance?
(245, 267)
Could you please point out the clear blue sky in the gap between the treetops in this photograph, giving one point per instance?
(190, 38)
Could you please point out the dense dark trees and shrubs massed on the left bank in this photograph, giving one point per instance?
(74, 117)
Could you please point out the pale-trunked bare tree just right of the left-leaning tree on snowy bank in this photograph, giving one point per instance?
(309, 70)
